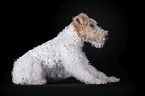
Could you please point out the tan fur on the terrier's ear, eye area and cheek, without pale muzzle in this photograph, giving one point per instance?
(85, 27)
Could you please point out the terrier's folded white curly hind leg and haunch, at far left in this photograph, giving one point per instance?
(27, 72)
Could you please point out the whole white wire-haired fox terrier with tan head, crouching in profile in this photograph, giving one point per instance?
(63, 57)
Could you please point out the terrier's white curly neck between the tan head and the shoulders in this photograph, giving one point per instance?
(70, 37)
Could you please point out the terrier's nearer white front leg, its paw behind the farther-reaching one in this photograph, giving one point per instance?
(73, 63)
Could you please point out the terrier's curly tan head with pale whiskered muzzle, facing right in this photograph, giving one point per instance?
(88, 30)
